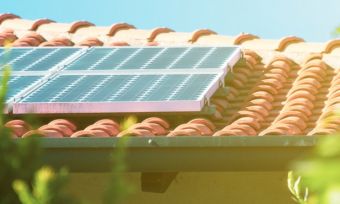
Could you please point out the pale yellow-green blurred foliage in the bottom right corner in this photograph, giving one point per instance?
(321, 172)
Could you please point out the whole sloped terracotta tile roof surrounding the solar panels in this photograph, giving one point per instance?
(282, 87)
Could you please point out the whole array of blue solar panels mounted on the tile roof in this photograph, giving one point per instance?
(117, 79)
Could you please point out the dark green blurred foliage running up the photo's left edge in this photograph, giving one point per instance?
(18, 159)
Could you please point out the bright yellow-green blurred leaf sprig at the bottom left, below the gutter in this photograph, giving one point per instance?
(48, 188)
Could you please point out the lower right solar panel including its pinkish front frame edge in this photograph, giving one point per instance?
(106, 93)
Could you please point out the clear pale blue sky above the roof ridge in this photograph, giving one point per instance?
(314, 20)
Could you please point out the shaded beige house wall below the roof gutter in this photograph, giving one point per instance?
(195, 188)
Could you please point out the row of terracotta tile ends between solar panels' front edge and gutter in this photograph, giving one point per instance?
(152, 126)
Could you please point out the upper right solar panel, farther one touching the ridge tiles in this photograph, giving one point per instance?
(152, 58)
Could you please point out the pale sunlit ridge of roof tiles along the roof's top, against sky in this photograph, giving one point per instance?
(45, 32)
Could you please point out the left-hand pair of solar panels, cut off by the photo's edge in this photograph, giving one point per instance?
(29, 66)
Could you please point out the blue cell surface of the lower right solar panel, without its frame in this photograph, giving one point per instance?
(98, 88)
